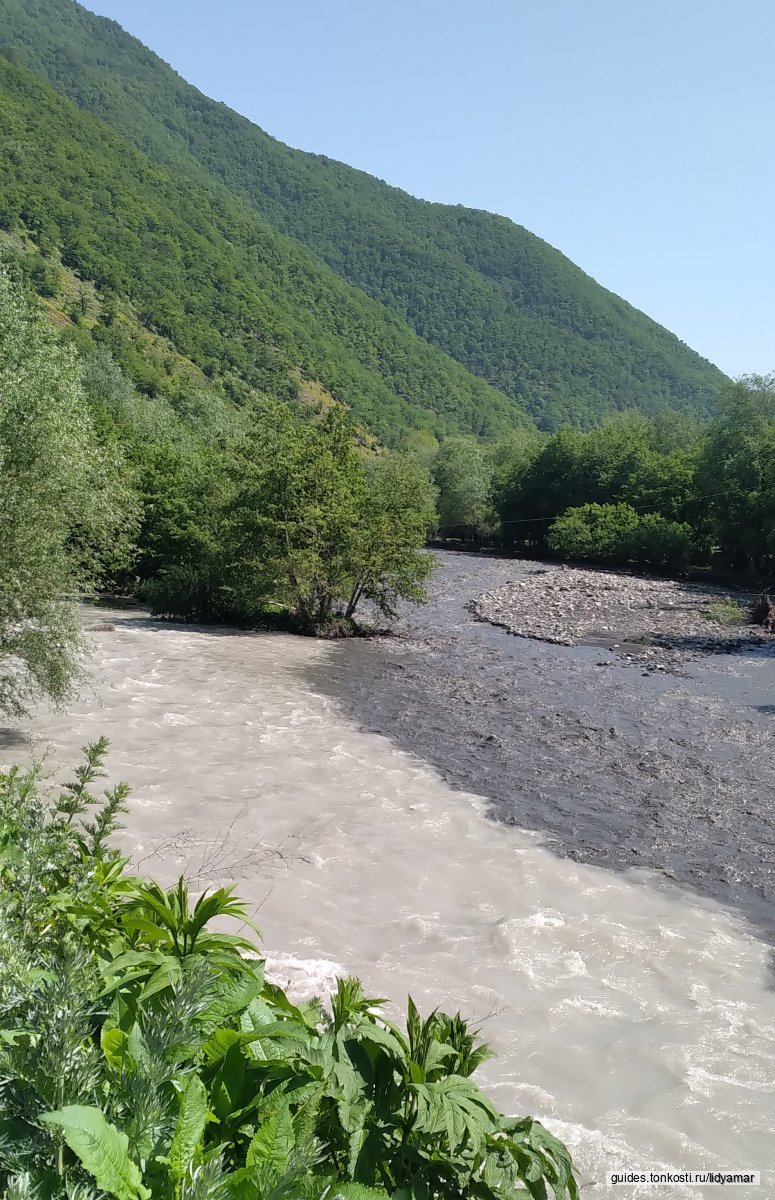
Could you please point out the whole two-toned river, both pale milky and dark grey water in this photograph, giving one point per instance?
(633, 1012)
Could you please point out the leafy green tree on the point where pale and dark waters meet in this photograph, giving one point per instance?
(317, 531)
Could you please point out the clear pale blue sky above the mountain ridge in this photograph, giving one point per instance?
(638, 136)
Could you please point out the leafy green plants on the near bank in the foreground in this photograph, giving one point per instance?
(145, 1055)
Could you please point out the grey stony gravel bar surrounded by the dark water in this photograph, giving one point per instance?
(672, 621)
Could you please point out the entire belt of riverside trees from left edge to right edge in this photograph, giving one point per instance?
(217, 512)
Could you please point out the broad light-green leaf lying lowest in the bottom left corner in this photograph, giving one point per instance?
(101, 1149)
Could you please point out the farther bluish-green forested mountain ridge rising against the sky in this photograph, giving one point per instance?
(500, 301)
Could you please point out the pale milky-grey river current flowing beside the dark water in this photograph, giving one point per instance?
(633, 1018)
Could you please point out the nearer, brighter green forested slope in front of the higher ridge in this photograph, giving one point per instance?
(202, 269)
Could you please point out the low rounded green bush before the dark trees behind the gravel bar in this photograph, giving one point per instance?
(616, 533)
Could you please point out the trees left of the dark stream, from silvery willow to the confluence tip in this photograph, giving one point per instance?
(214, 515)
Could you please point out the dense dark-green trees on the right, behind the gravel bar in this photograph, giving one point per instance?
(671, 493)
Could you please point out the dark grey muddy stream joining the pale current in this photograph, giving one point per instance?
(620, 770)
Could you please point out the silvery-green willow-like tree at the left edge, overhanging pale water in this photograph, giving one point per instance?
(65, 515)
